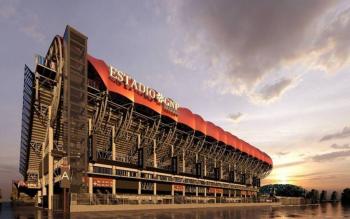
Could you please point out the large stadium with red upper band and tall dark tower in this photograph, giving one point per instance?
(92, 133)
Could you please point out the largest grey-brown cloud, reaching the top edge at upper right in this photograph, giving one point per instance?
(247, 44)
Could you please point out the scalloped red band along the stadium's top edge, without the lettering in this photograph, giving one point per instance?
(184, 115)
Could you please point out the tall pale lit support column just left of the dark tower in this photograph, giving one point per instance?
(50, 163)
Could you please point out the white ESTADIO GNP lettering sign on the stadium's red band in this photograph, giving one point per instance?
(130, 83)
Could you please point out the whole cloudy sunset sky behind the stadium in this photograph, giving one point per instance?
(275, 73)
